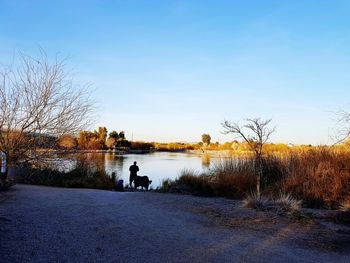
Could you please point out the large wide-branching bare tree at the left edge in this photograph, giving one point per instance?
(38, 104)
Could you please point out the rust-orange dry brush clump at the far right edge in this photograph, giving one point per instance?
(320, 177)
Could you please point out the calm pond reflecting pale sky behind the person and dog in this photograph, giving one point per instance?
(157, 166)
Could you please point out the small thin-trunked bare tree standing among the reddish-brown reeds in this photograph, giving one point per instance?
(255, 132)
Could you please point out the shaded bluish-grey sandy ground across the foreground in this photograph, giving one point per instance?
(46, 224)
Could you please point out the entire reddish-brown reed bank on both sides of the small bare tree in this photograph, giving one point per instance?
(319, 177)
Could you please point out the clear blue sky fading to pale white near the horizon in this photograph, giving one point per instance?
(172, 70)
